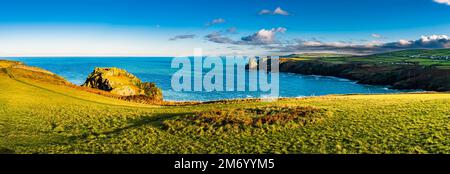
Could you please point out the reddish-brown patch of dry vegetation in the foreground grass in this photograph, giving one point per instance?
(254, 117)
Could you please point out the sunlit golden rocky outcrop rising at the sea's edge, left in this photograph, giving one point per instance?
(120, 82)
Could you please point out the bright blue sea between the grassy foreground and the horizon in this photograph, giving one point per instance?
(159, 71)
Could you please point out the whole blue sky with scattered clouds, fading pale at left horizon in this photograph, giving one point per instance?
(219, 27)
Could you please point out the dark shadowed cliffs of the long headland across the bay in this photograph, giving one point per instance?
(397, 76)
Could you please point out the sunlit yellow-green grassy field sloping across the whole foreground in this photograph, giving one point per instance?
(38, 116)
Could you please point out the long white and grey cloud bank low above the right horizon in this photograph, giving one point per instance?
(266, 40)
